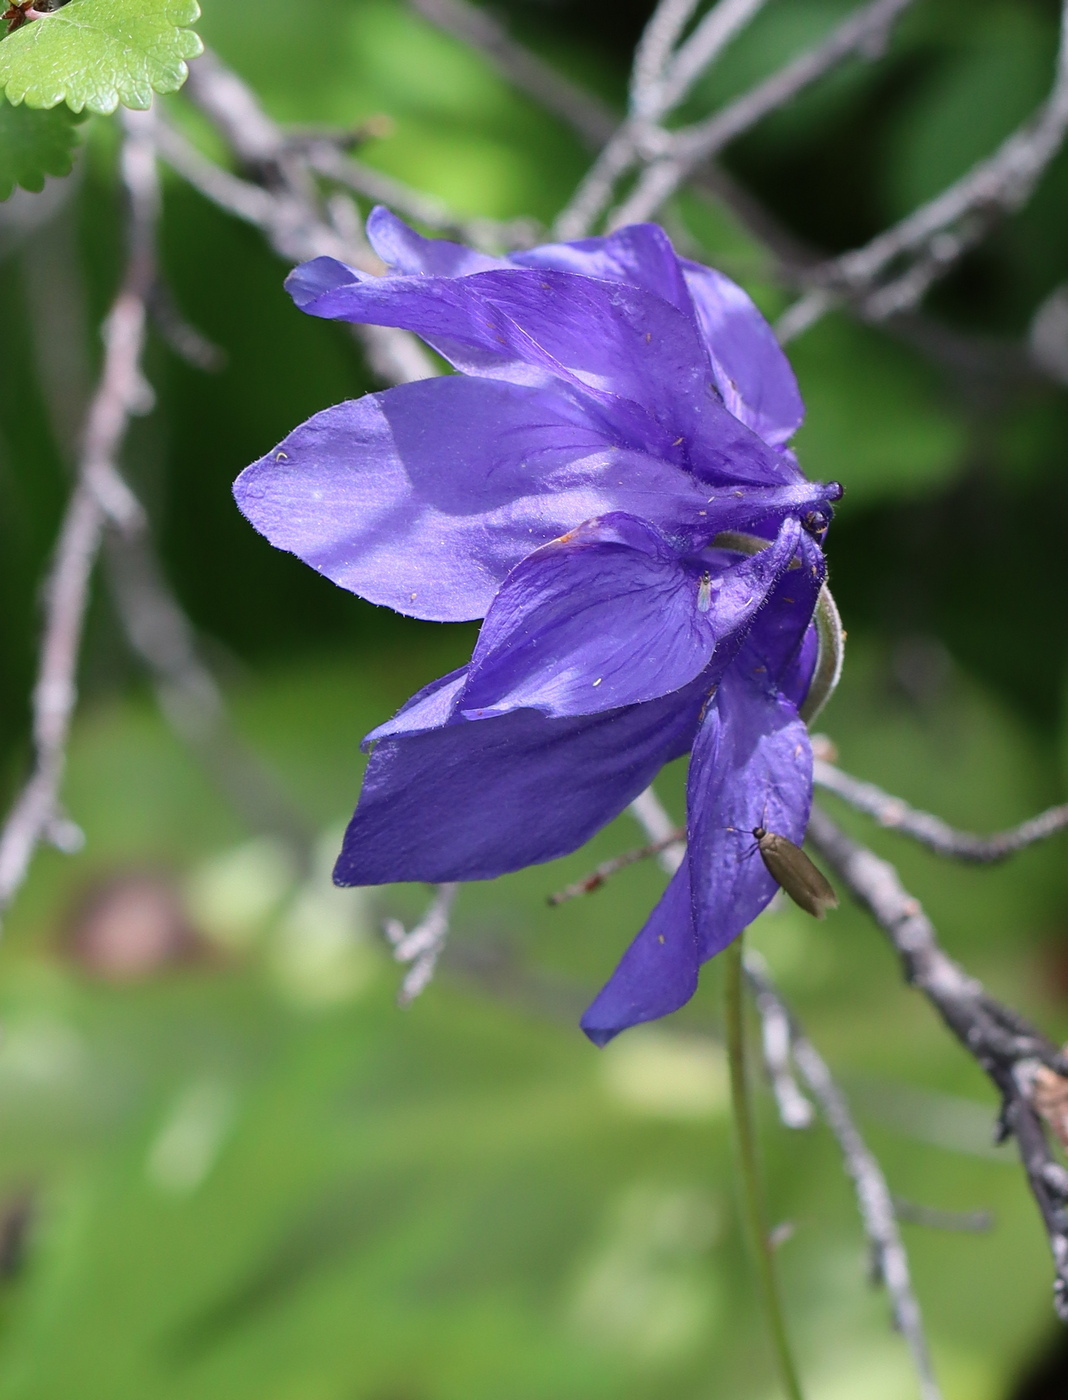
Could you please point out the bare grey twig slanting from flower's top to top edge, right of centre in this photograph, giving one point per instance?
(862, 34)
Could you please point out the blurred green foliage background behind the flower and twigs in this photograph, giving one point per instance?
(250, 1174)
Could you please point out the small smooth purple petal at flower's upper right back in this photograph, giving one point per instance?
(751, 369)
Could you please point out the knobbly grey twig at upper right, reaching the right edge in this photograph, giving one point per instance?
(937, 234)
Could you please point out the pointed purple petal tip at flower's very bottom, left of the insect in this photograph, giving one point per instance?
(657, 974)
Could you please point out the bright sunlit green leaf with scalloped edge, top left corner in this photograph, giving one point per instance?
(96, 54)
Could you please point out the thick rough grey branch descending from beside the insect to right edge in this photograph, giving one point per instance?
(1009, 1051)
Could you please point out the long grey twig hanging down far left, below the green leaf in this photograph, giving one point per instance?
(100, 495)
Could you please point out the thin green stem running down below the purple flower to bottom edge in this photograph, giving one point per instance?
(754, 1199)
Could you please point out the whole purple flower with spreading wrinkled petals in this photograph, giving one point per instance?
(619, 418)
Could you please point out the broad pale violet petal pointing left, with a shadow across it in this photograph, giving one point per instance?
(426, 496)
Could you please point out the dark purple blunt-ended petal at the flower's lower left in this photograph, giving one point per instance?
(474, 800)
